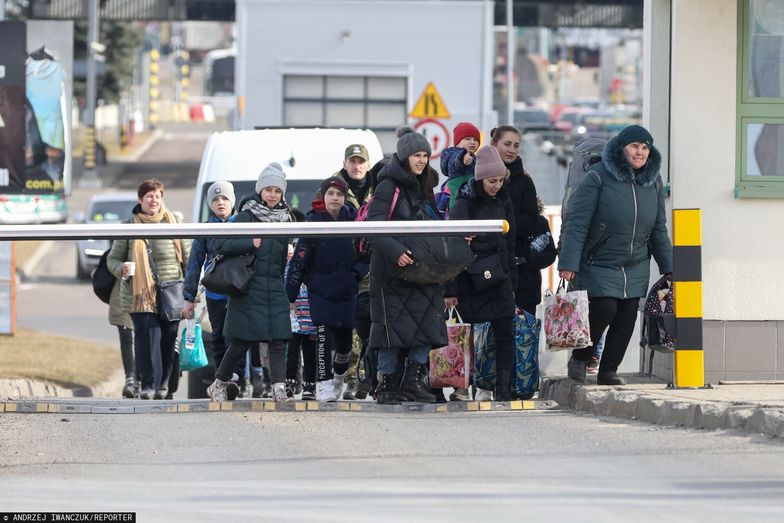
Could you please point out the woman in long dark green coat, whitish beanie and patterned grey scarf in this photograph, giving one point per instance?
(262, 314)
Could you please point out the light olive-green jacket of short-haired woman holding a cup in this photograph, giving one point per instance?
(164, 255)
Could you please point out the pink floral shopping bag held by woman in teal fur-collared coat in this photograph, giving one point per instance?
(566, 319)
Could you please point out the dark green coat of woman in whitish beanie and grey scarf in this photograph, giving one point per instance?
(263, 313)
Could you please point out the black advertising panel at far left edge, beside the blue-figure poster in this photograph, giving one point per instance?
(12, 105)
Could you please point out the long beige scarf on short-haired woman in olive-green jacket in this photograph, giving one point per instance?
(145, 295)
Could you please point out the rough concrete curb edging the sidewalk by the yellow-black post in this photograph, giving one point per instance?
(619, 402)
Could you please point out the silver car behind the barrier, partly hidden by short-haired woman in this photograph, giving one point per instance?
(102, 208)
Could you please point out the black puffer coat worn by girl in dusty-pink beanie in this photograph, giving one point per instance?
(473, 203)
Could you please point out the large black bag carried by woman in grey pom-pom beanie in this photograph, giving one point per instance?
(437, 259)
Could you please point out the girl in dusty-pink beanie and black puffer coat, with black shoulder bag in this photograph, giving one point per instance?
(484, 292)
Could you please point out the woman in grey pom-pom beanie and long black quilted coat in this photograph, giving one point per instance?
(404, 316)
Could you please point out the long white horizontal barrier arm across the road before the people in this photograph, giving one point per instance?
(234, 230)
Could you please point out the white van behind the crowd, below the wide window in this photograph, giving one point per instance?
(308, 157)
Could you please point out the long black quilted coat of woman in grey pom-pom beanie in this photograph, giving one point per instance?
(403, 315)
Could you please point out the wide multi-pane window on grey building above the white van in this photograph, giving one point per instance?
(377, 103)
